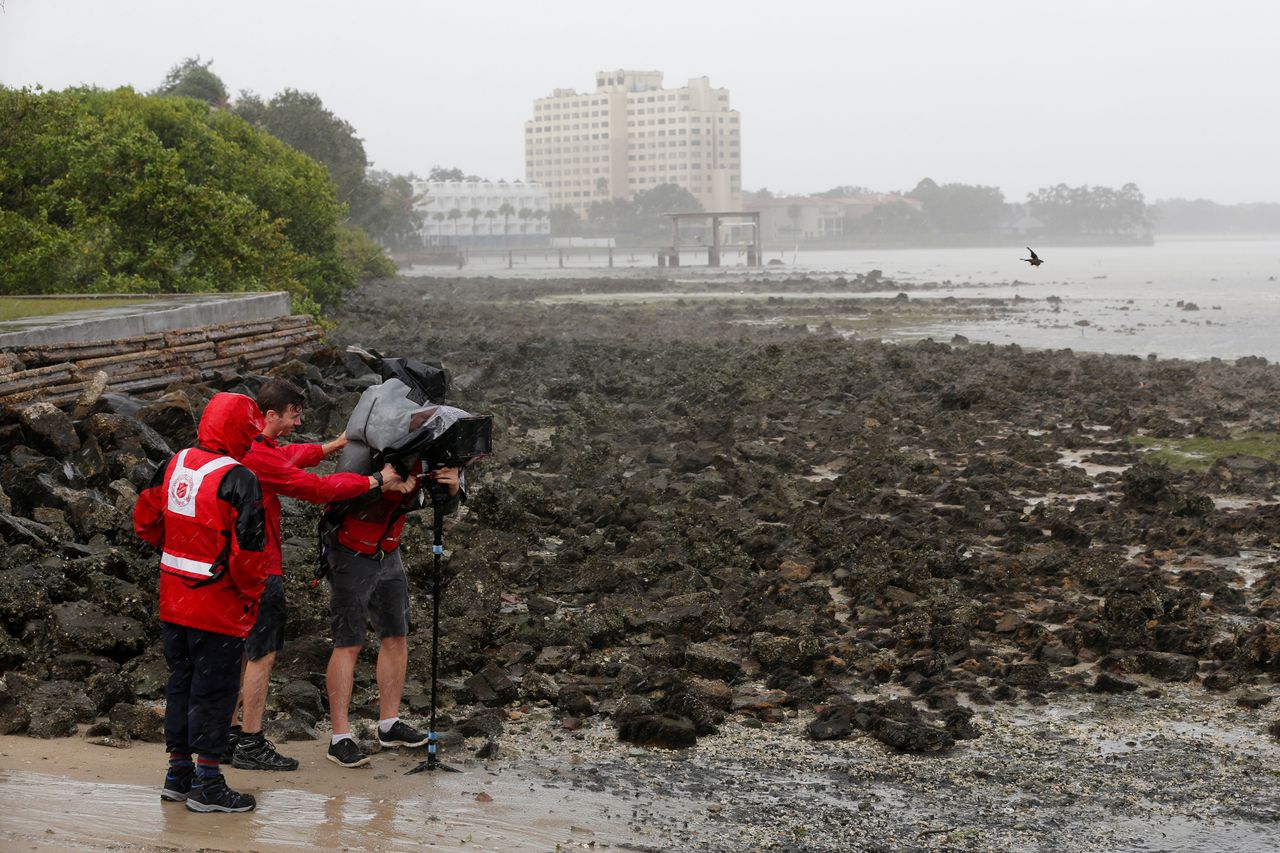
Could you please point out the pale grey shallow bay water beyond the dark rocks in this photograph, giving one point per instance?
(1127, 295)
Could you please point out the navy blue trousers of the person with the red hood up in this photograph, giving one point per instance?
(200, 699)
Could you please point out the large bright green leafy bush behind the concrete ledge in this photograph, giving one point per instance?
(116, 191)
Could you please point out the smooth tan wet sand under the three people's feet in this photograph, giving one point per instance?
(67, 795)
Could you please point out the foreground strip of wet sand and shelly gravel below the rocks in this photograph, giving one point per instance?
(1172, 773)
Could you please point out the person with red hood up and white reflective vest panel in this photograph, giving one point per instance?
(204, 510)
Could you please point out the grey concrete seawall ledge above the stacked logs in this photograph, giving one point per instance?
(158, 314)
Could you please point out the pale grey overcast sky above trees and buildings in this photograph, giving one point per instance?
(1178, 97)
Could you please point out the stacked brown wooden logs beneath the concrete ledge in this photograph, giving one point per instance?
(60, 373)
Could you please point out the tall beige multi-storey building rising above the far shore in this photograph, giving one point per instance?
(633, 135)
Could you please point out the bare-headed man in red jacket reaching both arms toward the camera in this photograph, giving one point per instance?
(280, 472)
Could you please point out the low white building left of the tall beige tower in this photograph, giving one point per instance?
(474, 215)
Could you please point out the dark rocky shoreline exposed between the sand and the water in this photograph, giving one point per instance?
(724, 523)
